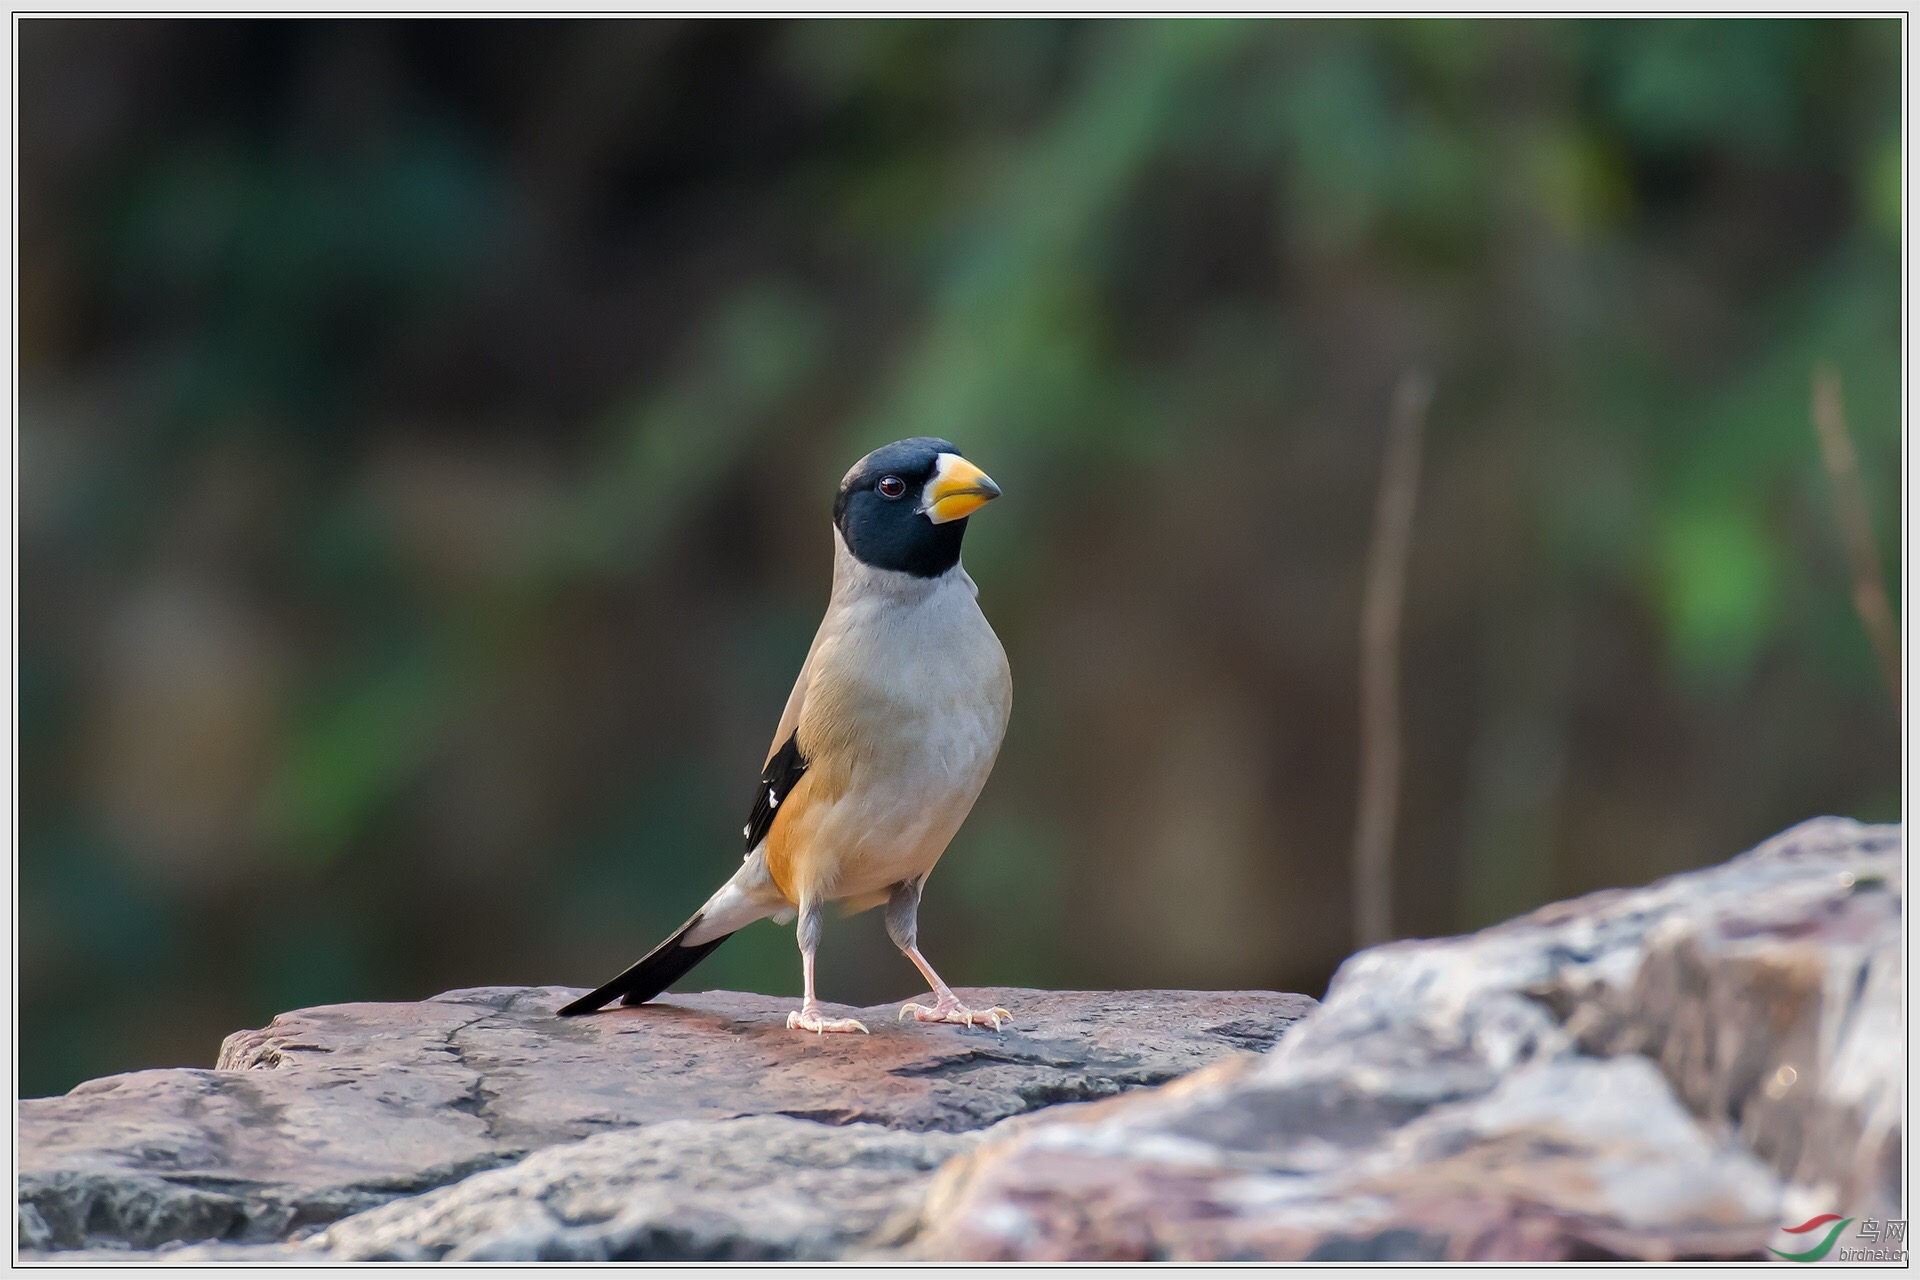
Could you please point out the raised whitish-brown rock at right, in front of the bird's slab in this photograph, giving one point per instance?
(1671, 1072)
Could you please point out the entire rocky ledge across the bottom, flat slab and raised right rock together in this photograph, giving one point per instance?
(1660, 1074)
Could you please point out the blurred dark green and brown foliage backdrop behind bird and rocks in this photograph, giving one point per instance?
(429, 433)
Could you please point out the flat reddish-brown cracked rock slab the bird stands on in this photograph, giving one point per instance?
(339, 1110)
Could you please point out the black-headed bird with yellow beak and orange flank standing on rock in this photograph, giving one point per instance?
(884, 746)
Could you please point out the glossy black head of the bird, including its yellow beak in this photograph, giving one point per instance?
(905, 506)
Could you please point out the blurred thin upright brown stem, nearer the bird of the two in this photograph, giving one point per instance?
(1380, 665)
